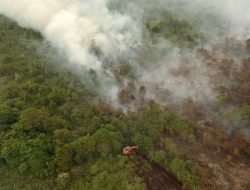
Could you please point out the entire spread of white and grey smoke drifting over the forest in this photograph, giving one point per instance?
(114, 29)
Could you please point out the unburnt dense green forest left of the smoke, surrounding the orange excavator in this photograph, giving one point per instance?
(55, 136)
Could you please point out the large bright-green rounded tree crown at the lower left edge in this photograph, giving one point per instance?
(30, 155)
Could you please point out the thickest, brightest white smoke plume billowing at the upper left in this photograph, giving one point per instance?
(71, 25)
